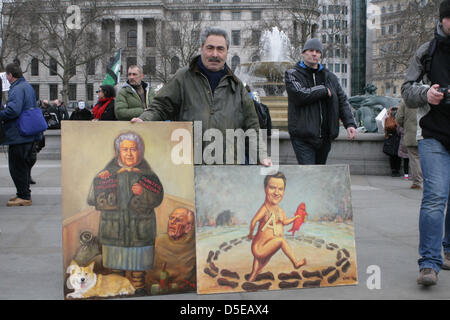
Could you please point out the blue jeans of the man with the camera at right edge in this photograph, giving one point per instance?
(435, 163)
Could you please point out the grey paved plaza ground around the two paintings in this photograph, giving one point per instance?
(386, 226)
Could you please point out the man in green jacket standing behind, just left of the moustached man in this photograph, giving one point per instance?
(134, 96)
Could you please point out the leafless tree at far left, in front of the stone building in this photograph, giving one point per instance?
(64, 32)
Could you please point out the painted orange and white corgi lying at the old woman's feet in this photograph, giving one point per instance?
(87, 284)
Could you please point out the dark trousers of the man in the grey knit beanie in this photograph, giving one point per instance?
(307, 154)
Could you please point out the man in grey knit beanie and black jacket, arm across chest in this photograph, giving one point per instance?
(316, 102)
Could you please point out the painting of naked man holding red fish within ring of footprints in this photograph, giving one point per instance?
(292, 228)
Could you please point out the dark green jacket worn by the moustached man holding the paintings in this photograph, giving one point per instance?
(188, 97)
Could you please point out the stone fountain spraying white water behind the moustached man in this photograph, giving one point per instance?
(267, 76)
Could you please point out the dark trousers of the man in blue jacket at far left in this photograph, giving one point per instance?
(19, 161)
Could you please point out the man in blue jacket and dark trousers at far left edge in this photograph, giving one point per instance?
(21, 96)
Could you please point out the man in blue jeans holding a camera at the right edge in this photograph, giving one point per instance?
(427, 88)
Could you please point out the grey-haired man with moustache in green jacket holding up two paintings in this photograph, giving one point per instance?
(206, 91)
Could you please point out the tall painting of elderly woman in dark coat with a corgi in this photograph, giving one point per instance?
(128, 211)
